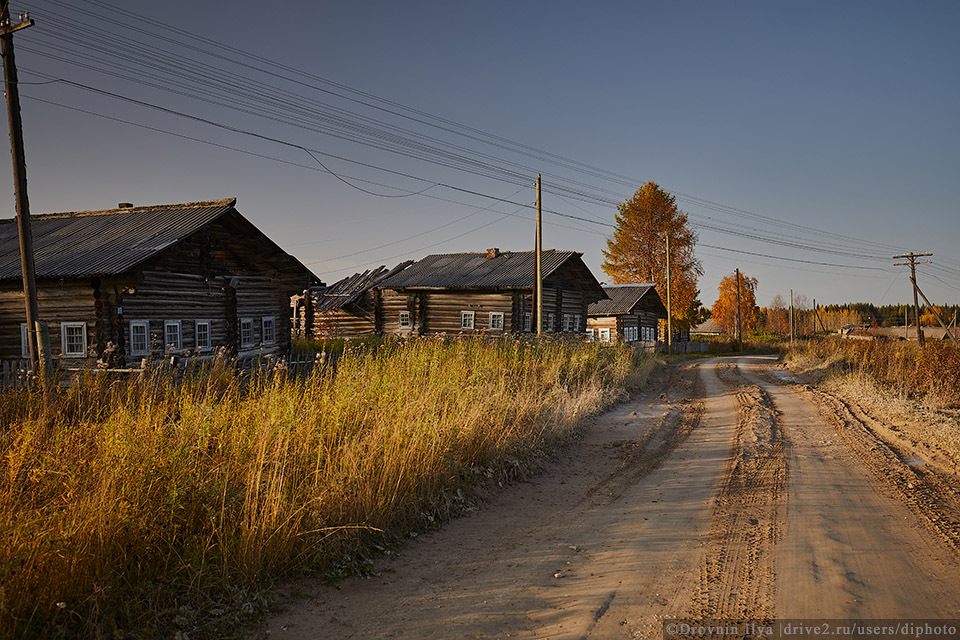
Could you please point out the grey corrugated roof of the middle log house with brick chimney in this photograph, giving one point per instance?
(475, 270)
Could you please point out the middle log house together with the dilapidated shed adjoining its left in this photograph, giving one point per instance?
(462, 293)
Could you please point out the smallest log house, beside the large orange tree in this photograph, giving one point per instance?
(629, 314)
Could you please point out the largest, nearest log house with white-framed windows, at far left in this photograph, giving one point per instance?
(124, 284)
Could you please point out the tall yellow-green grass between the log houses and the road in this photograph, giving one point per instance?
(151, 508)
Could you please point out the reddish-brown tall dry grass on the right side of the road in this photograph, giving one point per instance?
(930, 375)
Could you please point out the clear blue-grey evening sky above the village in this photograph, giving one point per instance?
(808, 142)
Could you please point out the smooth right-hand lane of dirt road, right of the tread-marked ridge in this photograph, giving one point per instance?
(852, 547)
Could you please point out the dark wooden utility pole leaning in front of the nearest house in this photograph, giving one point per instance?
(11, 88)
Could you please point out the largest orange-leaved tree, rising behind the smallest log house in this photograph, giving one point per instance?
(637, 252)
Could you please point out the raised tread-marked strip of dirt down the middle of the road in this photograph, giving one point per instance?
(738, 576)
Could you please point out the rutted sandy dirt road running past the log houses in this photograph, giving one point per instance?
(726, 490)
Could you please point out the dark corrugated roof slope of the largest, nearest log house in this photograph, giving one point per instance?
(95, 243)
